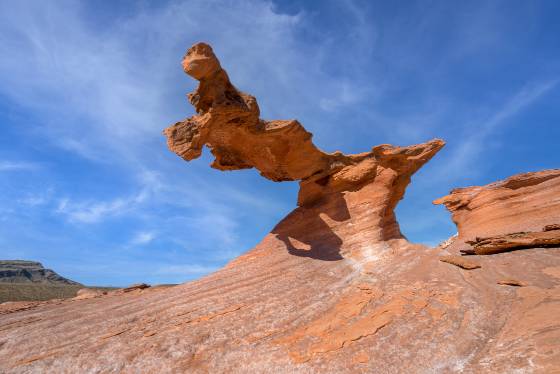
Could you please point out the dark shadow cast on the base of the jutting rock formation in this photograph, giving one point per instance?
(306, 234)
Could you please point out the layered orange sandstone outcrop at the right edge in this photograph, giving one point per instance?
(520, 211)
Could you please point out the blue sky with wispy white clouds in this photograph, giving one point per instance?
(88, 187)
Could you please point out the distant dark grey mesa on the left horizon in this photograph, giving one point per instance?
(20, 271)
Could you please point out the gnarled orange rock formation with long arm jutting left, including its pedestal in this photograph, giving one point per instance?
(358, 190)
